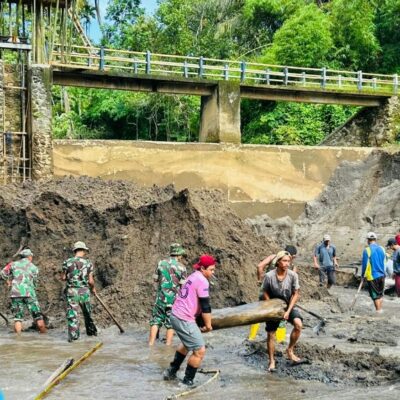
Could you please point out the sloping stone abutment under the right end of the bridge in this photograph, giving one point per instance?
(369, 127)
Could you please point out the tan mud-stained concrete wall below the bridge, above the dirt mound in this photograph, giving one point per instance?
(277, 180)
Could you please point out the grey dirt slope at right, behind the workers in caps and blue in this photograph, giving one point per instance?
(361, 196)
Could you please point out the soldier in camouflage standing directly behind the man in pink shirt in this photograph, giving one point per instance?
(169, 276)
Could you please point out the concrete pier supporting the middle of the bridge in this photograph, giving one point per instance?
(220, 114)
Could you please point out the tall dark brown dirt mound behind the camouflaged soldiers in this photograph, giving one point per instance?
(128, 228)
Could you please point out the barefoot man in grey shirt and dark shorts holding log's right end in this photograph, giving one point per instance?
(282, 283)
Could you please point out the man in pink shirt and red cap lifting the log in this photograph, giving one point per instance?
(192, 300)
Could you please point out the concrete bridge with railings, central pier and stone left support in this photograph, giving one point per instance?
(26, 145)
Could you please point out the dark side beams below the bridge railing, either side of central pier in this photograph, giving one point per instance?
(205, 87)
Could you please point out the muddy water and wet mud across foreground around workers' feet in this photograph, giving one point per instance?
(356, 358)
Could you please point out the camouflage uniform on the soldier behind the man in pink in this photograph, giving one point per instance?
(170, 275)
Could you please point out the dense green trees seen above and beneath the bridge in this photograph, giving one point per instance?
(343, 34)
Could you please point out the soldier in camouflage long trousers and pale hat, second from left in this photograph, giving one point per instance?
(78, 273)
